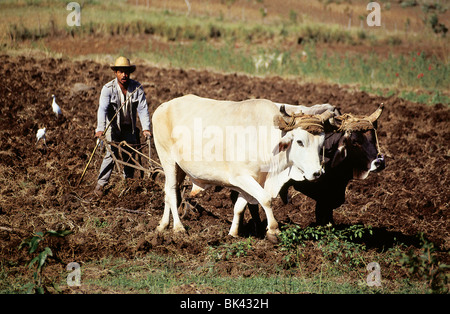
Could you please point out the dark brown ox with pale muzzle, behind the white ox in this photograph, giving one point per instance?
(351, 151)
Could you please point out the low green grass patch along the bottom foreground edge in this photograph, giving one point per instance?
(143, 275)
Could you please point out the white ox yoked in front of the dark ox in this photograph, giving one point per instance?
(239, 145)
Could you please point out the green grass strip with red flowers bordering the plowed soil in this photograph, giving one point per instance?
(417, 77)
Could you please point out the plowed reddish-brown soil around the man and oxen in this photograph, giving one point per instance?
(38, 185)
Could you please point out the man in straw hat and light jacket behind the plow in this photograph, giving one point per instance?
(120, 91)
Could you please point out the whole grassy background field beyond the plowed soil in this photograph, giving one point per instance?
(315, 40)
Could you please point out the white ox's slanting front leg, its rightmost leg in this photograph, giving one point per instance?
(252, 187)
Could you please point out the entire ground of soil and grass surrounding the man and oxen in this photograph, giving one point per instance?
(301, 52)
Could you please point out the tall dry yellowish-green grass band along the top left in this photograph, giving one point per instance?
(37, 19)
